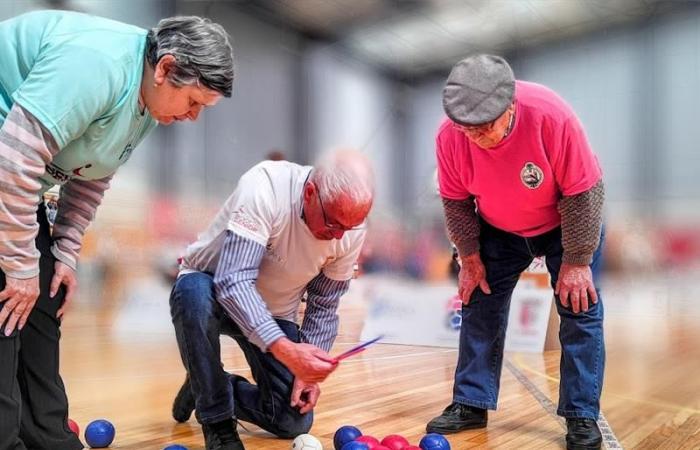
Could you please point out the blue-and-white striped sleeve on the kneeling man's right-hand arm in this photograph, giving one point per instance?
(320, 325)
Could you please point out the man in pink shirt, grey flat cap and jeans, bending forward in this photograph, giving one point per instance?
(518, 179)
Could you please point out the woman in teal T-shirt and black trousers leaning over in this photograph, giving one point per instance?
(77, 95)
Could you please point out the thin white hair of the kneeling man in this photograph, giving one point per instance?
(344, 173)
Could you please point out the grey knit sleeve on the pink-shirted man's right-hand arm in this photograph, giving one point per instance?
(581, 221)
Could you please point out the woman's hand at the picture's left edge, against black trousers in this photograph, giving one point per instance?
(19, 297)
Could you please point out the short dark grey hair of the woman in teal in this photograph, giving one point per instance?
(201, 48)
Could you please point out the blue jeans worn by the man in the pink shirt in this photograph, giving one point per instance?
(484, 322)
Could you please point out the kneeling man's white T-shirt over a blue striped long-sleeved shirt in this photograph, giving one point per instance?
(265, 258)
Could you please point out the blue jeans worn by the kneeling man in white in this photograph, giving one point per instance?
(199, 321)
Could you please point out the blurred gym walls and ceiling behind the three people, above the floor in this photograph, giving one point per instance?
(313, 74)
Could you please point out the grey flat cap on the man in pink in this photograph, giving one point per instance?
(479, 89)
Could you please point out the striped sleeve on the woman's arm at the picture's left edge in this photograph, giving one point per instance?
(26, 147)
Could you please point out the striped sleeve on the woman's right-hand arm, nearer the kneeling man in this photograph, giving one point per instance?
(77, 204)
